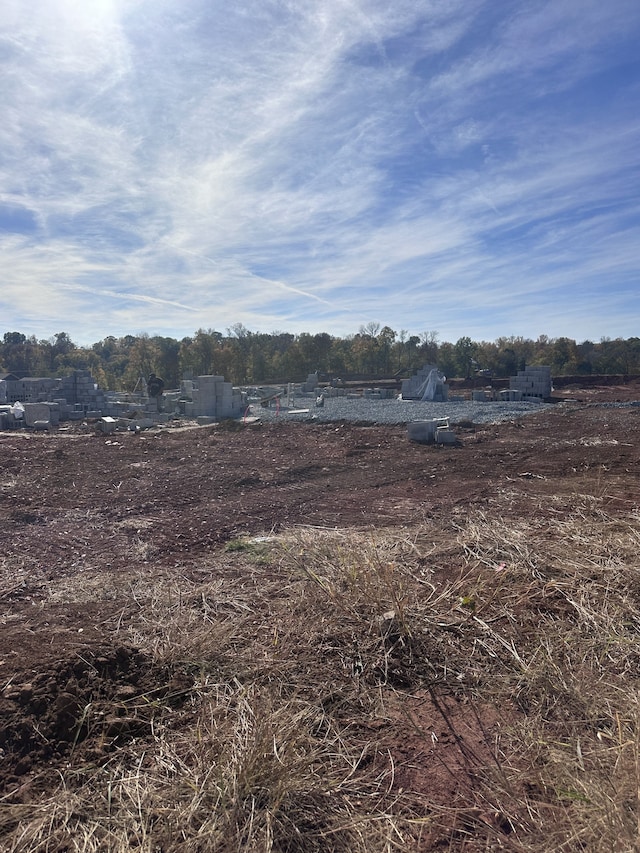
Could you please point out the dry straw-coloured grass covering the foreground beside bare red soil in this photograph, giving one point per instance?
(290, 653)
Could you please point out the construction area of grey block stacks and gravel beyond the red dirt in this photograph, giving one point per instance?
(46, 403)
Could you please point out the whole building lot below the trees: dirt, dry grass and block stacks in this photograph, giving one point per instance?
(222, 631)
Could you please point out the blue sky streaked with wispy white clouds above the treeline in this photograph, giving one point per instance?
(465, 166)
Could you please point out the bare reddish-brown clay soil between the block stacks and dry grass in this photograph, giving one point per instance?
(77, 504)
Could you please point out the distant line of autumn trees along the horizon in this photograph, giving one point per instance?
(251, 358)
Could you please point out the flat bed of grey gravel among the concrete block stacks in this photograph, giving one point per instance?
(361, 410)
